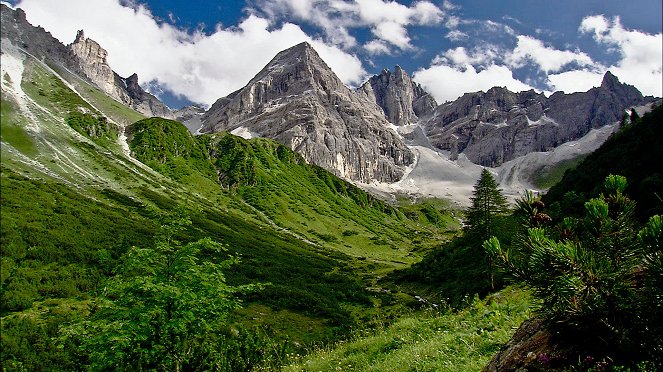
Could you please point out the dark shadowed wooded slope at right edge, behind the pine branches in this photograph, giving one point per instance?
(634, 152)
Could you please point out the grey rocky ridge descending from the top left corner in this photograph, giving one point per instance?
(84, 57)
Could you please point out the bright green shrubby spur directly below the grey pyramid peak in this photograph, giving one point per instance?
(295, 196)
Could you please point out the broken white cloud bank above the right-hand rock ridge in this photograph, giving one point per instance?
(487, 64)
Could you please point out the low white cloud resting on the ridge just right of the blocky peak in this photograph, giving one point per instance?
(447, 83)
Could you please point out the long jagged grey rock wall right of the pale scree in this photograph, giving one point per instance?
(496, 126)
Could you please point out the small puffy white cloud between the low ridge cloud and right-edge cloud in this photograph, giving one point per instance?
(548, 59)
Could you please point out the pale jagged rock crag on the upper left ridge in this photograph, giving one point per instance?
(91, 59)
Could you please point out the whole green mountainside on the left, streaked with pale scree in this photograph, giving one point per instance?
(75, 200)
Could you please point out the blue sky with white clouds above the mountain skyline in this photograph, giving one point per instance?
(198, 51)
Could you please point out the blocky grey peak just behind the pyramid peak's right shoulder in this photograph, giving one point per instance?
(402, 100)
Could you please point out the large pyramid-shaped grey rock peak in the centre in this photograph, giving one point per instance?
(299, 101)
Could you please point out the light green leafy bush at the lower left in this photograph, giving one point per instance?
(162, 309)
